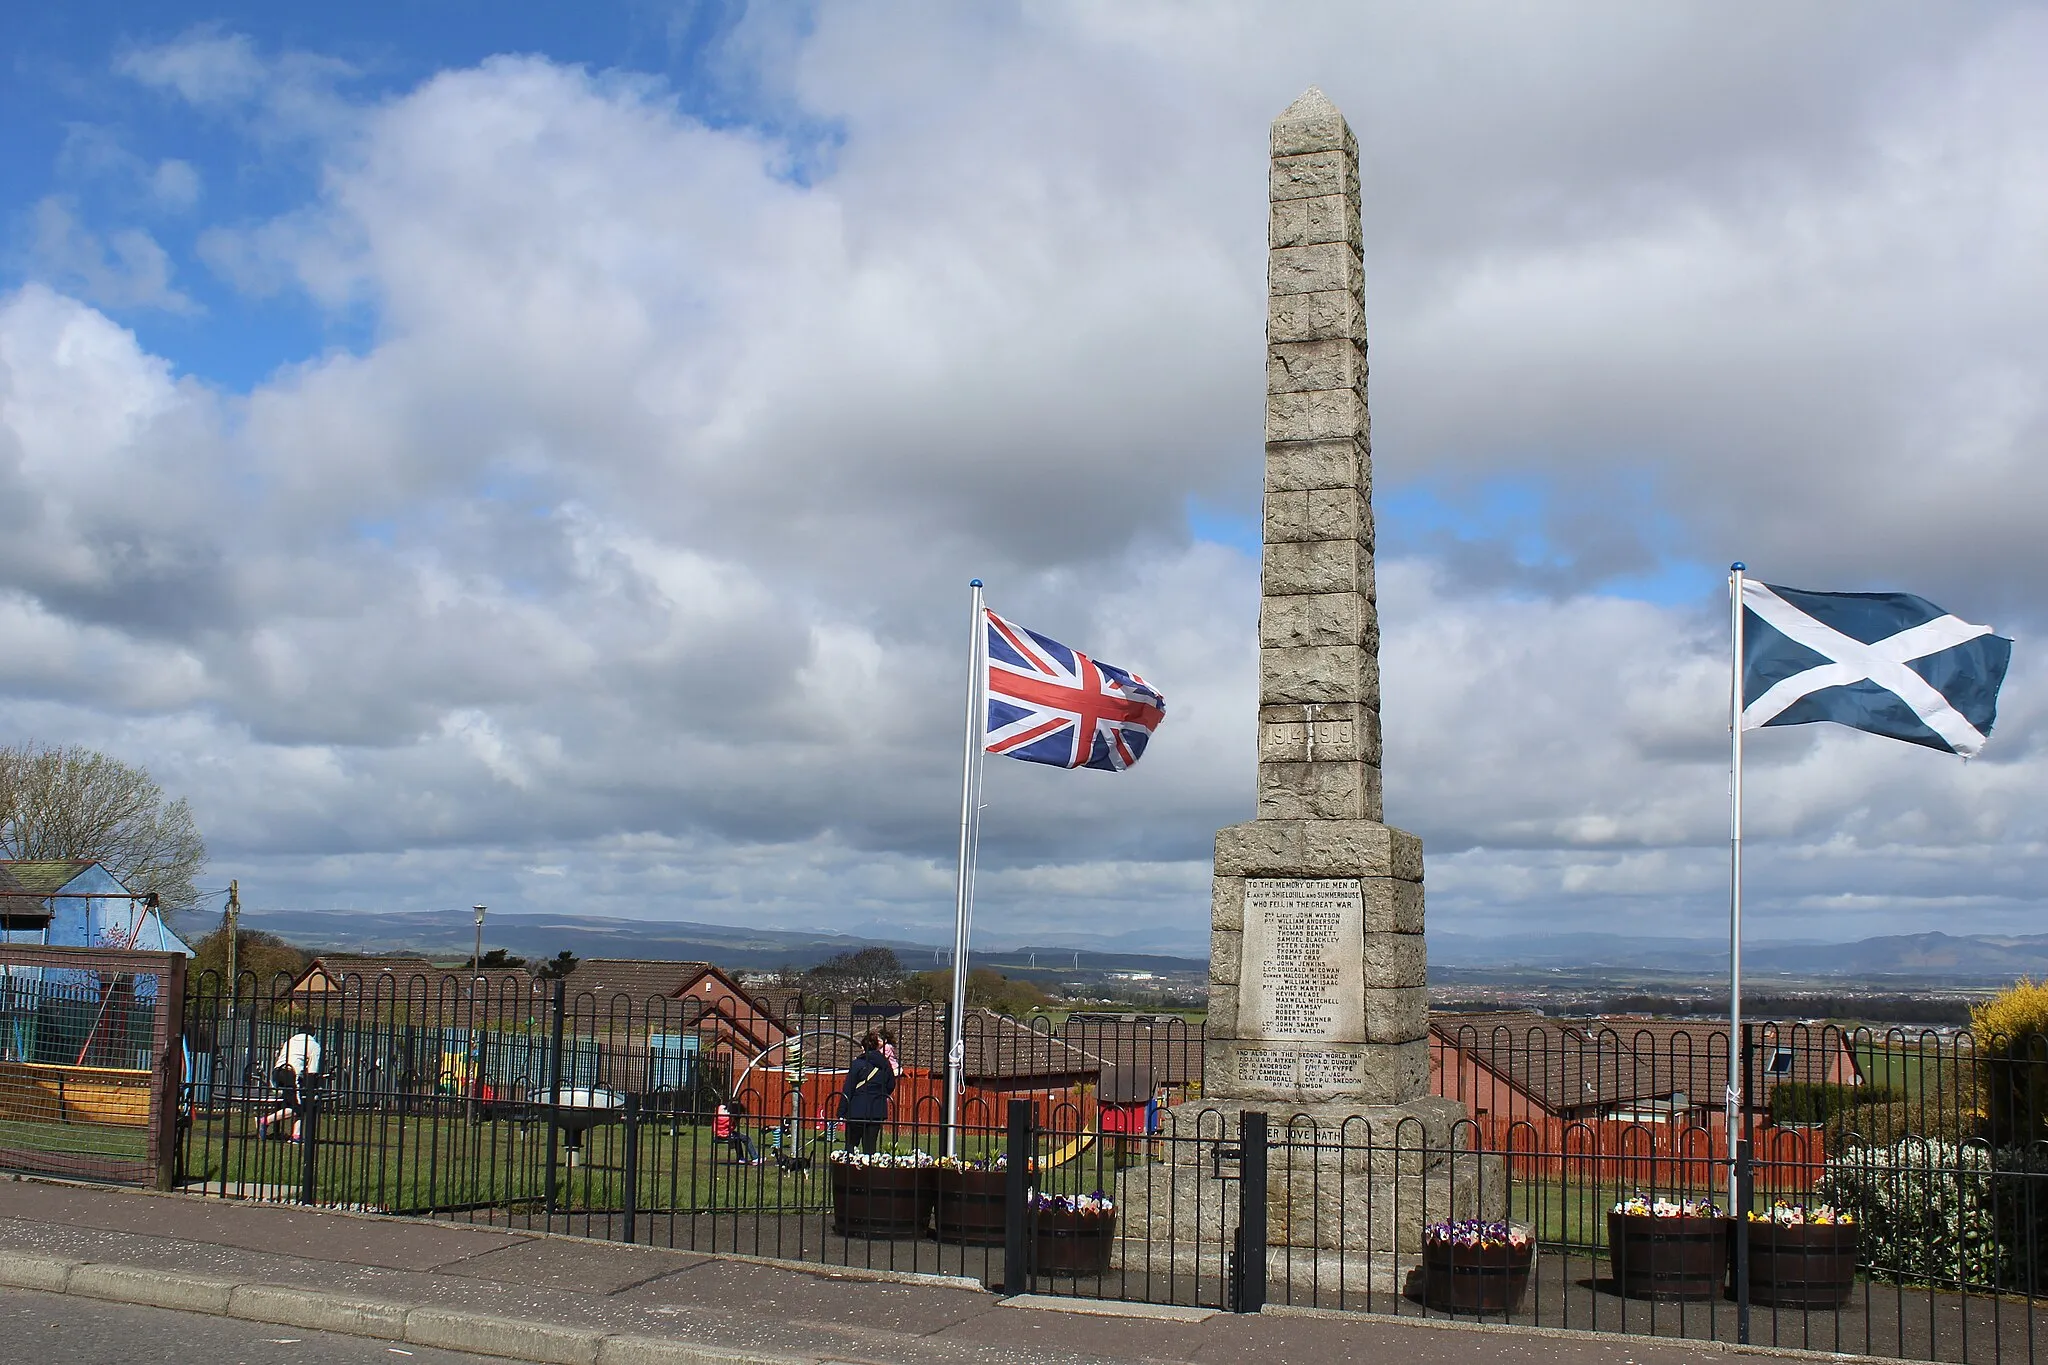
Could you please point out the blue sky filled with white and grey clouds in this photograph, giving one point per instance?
(529, 459)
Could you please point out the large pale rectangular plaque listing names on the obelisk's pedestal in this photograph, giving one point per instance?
(1304, 961)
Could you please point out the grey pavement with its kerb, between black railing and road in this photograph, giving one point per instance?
(556, 1298)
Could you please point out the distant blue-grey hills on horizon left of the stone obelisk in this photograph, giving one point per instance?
(595, 936)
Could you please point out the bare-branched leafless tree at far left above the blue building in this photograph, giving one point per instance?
(77, 803)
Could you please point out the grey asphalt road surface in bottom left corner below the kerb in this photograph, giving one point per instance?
(54, 1329)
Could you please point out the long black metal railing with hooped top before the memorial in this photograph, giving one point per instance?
(1089, 1159)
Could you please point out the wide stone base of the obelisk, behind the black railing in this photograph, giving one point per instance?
(1349, 1190)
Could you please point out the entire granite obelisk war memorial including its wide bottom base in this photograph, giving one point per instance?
(1318, 1002)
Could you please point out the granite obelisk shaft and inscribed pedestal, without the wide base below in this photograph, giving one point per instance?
(1318, 961)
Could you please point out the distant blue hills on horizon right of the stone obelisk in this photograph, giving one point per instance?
(1908, 957)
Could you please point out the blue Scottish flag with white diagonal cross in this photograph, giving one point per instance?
(1889, 664)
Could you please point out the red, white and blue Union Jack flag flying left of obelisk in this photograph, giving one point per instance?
(1056, 705)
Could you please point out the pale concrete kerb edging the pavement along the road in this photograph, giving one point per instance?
(331, 1313)
